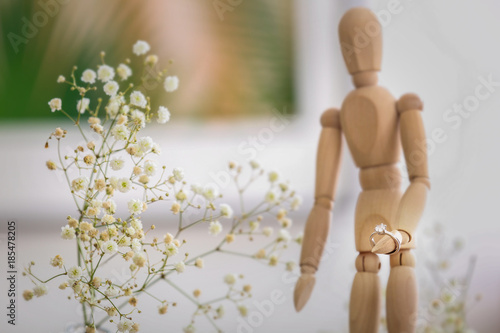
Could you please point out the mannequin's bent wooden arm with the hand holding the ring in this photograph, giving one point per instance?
(412, 203)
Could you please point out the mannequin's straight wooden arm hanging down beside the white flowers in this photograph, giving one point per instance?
(318, 222)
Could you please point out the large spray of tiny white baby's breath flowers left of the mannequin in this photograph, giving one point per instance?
(116, 159)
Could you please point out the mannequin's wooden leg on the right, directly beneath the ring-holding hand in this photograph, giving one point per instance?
(402, 294)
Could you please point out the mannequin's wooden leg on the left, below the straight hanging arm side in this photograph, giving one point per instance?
(364, 308)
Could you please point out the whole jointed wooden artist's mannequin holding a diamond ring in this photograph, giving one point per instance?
(376, 128)
